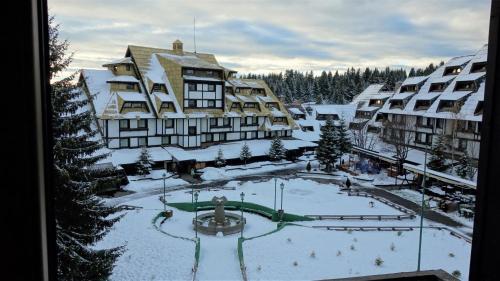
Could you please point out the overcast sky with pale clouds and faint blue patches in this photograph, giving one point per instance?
(271, 36)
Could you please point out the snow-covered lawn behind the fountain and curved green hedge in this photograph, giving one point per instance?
(300, 196)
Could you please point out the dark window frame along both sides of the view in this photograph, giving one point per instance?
(31, 229)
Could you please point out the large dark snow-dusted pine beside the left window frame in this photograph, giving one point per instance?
(81, 218)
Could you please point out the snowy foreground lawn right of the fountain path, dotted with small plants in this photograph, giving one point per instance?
(275, 255)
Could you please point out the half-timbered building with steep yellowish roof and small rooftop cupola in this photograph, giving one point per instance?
(161, 97)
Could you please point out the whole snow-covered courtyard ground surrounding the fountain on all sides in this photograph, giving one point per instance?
(153, 255)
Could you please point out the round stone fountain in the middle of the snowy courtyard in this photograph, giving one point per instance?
(218, 220)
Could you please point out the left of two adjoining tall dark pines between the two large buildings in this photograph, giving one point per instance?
(327, 151)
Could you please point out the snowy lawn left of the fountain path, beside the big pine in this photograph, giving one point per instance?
(149, 254)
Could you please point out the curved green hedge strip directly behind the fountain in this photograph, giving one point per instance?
(236, 205)
